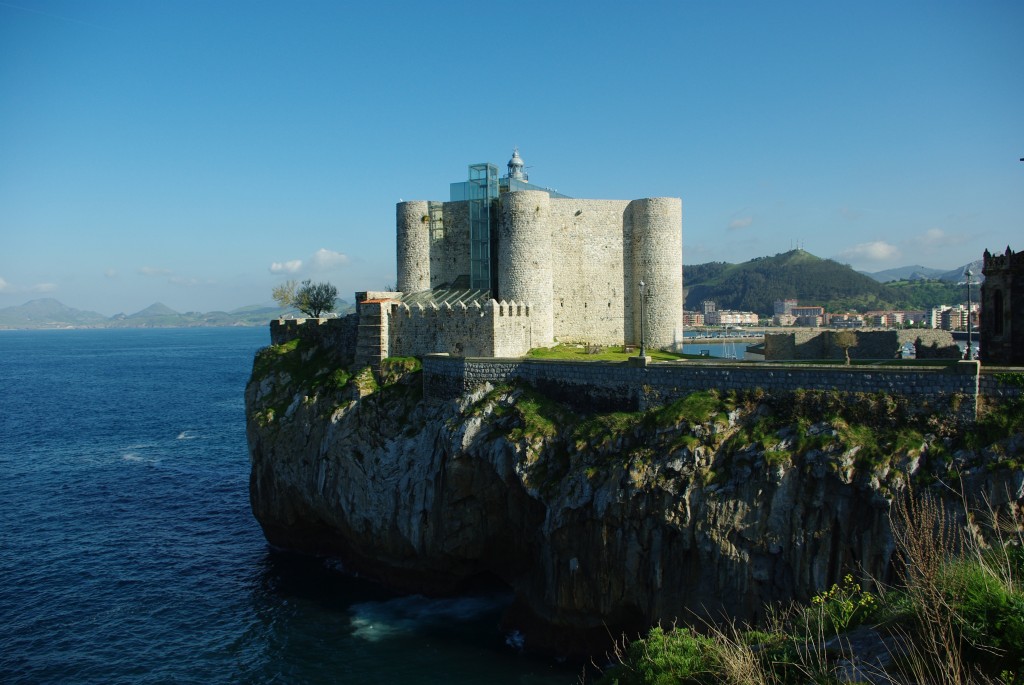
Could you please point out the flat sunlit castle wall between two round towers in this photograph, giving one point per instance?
(589, 272)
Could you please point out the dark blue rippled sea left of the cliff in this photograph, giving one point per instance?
(129, 552)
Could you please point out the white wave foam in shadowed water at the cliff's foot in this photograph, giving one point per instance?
(378, 621)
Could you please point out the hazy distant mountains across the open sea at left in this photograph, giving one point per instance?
(51, 314)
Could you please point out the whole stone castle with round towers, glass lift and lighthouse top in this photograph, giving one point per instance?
(506, 266)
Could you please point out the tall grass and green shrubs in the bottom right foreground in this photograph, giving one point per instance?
(956, 618)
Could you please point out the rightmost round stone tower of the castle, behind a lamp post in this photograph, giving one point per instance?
(658, 261)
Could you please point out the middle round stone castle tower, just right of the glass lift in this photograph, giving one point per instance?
(525, 273)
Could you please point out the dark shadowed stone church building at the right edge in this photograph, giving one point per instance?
(1002, 335)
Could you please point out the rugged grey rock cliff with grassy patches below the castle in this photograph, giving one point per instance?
(598, 524)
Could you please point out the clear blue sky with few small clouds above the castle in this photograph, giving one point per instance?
(199, 153)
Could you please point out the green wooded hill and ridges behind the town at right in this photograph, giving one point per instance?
(756, 285)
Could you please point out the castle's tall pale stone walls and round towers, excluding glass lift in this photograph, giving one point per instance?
(574, 260)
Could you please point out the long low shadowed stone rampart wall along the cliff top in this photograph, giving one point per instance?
(610, 387)
